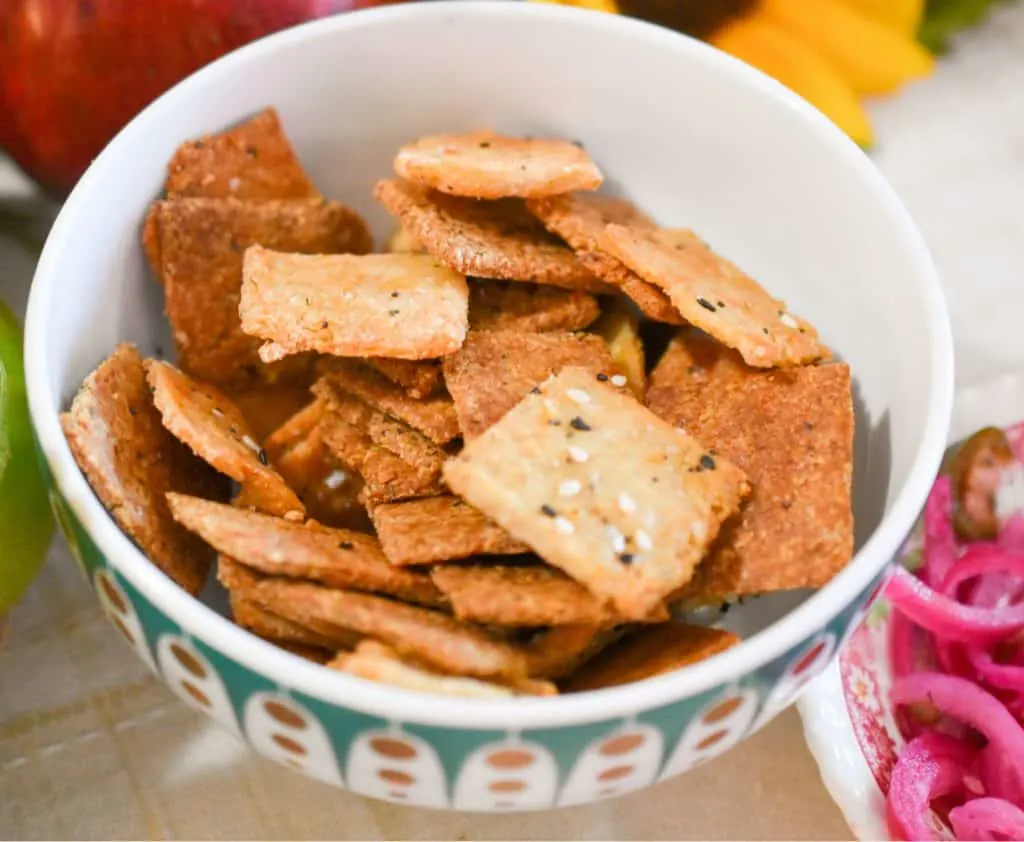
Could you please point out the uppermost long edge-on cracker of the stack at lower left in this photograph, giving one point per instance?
(339, 559)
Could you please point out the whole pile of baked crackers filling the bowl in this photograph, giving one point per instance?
(491, 461)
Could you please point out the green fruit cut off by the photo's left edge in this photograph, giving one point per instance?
(26, 523)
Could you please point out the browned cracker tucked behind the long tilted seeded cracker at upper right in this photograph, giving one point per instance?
(580, 220)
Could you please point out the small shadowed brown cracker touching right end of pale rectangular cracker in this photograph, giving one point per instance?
(501, 306)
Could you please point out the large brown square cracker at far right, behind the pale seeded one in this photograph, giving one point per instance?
(791, 432)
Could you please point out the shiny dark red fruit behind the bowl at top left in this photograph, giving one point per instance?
(74, 72)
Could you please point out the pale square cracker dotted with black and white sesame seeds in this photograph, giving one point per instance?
(601, 488)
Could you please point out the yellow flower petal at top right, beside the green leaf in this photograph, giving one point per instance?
(871, 57)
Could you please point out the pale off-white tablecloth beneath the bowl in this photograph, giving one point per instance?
(92, 747)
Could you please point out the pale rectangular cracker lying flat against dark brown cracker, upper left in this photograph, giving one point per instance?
(407, 307)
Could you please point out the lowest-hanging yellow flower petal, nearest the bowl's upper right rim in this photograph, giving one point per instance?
(773, 50)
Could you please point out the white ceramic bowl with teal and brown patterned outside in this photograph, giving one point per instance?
(694, 137)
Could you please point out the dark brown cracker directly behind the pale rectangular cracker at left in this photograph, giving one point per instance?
(202, 242)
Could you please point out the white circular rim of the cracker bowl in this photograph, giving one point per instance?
(520, 713)
